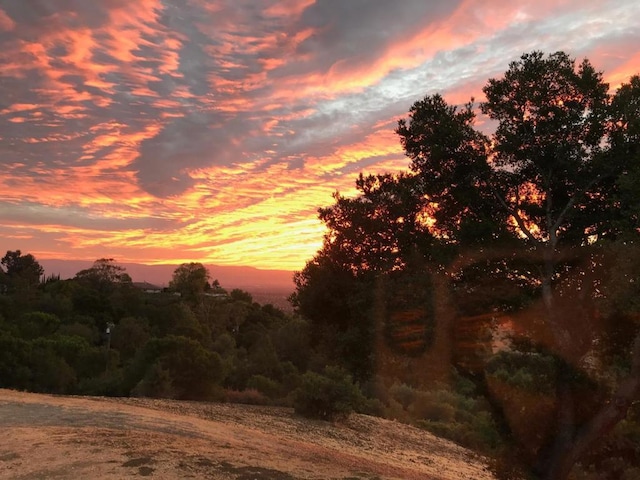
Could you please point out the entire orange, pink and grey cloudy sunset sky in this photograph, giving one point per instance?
(169, 131)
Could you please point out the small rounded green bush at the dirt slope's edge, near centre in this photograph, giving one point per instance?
(328, 396)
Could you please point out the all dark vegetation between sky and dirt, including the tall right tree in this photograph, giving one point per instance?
(489, 294)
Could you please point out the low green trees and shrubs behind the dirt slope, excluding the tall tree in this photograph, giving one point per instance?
(100, 334)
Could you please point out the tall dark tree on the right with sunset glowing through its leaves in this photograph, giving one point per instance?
(533, 220)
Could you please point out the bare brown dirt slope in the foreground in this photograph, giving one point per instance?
(54, 437)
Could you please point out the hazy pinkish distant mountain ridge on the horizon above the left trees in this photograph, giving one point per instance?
(247, 278)
